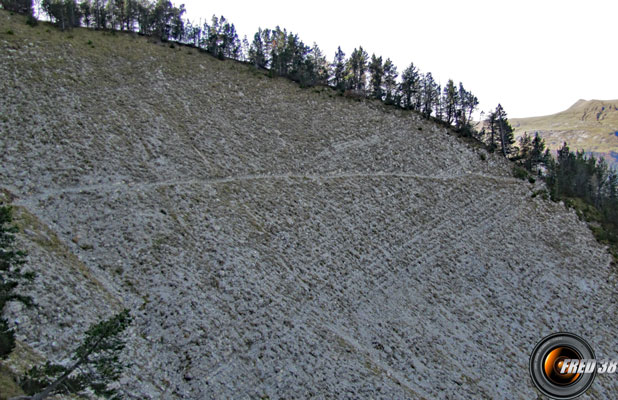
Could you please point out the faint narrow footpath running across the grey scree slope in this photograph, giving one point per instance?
(131, 186)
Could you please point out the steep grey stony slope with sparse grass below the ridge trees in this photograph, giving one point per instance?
(277, 241)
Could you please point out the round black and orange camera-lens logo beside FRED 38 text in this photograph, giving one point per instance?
(562, 366)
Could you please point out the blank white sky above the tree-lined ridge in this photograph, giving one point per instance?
(535, 57)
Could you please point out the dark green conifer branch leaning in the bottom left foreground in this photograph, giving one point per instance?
(96, 364)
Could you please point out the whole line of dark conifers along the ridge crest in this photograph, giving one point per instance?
(569, 176)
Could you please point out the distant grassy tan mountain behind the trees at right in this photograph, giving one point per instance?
(589, 125)
